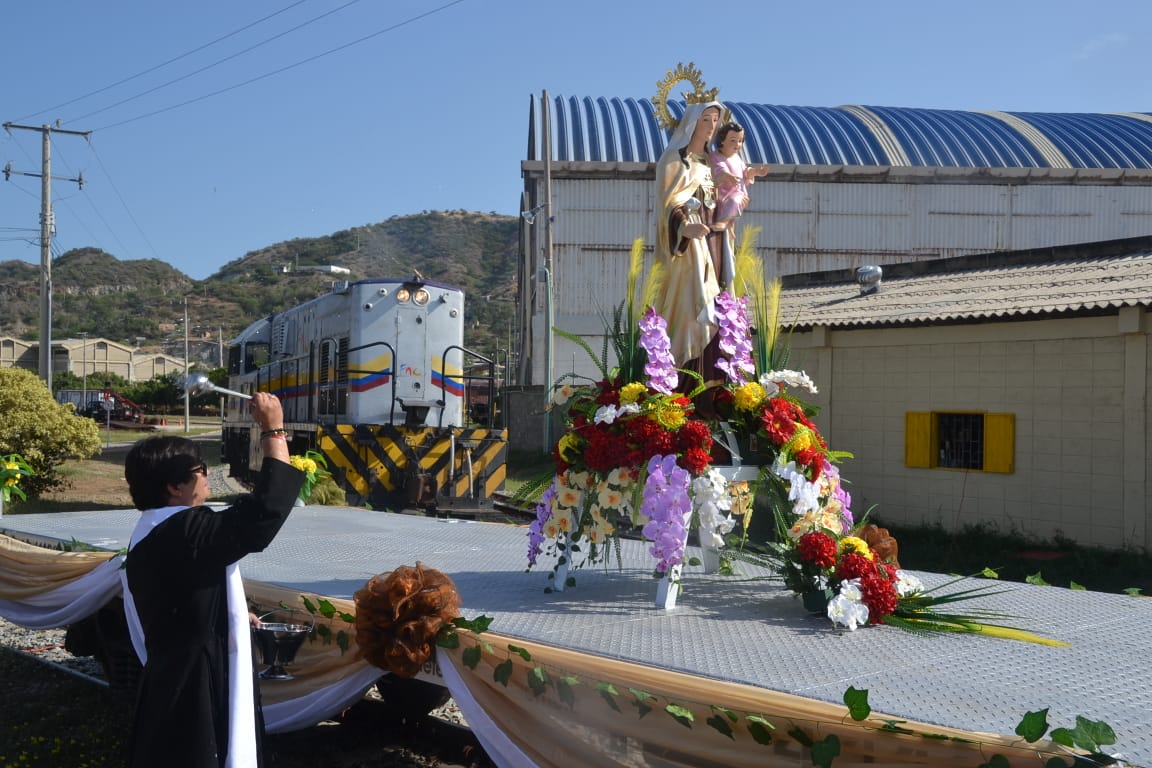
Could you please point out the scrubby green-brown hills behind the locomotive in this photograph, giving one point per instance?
(142, 302)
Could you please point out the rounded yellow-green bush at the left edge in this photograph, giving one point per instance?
(44, 432)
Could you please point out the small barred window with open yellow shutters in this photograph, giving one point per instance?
(960, 440)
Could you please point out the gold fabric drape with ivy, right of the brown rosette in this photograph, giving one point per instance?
(583, 729)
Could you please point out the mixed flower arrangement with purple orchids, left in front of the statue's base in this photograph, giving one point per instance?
(634, 455)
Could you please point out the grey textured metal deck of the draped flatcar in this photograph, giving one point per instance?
(744, 628)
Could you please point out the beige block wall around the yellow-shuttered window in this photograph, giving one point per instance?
(1079, 390)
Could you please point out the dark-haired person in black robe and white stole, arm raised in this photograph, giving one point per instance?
(185, 599)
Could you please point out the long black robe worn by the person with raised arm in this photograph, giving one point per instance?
(177, 576)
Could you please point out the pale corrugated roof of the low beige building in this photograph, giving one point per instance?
(949, 295)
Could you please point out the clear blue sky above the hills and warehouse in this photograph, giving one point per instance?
(312, 117)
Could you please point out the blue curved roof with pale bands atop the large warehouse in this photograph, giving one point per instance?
(626, 131)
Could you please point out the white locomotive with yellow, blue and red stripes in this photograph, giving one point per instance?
(376, 378)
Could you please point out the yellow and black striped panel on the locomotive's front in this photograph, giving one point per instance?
(378, 461)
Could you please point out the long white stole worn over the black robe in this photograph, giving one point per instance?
(241, 695)
